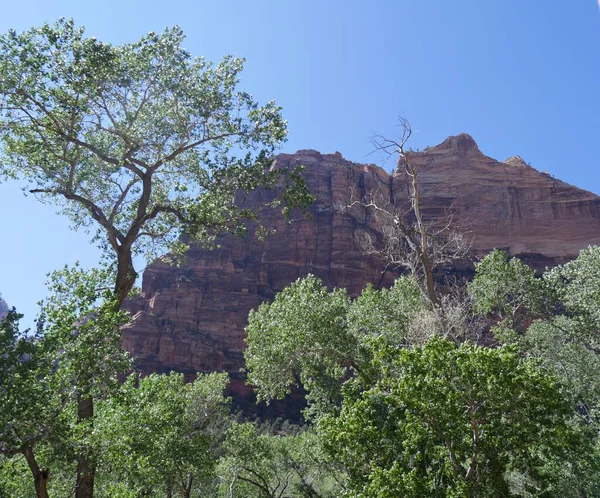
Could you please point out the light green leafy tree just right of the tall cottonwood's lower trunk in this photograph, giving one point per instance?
(157, 436)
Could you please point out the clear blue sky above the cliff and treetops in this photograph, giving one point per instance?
(521, 76)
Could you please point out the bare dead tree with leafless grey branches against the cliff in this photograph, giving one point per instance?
(409, 241)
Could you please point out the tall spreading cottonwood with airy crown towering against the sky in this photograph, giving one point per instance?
(140, 143)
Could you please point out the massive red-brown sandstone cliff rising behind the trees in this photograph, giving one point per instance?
(192, 318)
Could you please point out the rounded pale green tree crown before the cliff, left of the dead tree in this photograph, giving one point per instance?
(301, 337)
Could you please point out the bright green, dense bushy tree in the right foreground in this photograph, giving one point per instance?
(451, 421)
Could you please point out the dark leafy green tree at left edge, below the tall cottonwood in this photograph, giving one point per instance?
(75, 353)
